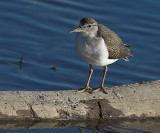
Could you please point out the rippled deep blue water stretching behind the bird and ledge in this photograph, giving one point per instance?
(38, 31)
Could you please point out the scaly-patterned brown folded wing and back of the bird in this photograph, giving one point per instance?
(115, 45)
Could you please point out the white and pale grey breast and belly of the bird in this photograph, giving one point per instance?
(93, 50)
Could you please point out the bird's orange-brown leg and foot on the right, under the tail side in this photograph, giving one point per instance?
(101, 86)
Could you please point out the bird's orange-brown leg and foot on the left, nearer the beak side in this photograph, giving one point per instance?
(87, 88)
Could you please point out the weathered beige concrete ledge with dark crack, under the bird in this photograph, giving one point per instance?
(133, 100)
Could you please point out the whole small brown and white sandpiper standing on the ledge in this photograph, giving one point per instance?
(99, 46)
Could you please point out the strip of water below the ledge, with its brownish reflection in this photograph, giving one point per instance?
(91, 126)
